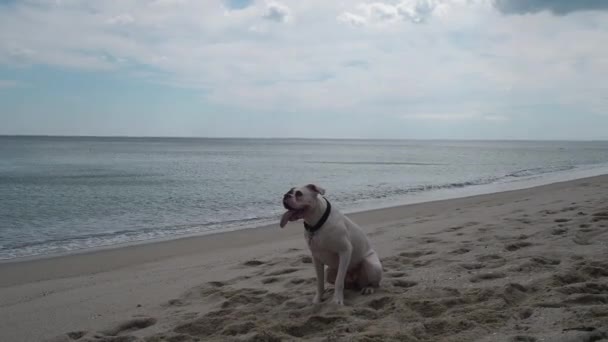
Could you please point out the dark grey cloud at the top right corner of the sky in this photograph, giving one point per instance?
(557, 7)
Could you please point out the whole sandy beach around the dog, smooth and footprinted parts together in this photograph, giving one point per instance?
(525, 265)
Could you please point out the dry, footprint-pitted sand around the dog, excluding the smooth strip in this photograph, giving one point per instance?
(529, 265)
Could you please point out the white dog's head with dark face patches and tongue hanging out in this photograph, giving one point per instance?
(298, 201)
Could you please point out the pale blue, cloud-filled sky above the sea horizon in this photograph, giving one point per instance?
(401, 69)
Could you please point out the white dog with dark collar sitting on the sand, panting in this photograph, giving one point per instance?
(334, 241)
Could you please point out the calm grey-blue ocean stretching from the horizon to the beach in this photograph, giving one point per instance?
(66, 194)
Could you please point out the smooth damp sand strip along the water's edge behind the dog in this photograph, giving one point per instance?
(153, 250)
